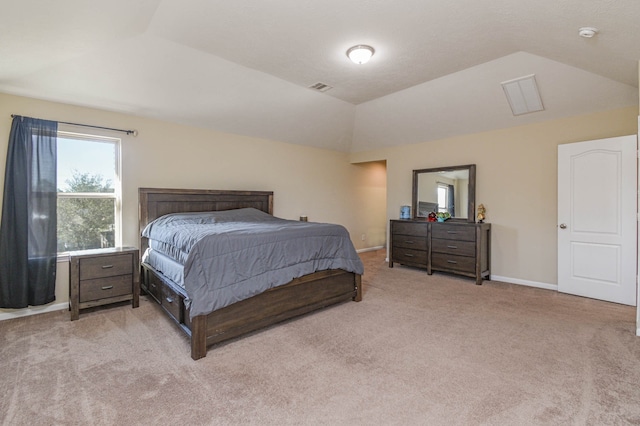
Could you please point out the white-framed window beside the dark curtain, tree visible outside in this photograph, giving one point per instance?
(88, 192)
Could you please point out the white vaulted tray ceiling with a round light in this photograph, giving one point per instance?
(245, 66)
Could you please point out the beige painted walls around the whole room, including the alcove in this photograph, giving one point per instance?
(516, 176)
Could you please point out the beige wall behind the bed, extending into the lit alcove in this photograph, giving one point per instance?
(306, 181)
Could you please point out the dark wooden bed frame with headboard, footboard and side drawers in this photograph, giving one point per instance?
(300, 296)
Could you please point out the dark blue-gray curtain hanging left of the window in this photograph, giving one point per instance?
(28, 230)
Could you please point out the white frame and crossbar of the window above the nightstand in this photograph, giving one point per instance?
(117, 184)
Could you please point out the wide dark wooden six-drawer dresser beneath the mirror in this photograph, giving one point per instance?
(460, 248)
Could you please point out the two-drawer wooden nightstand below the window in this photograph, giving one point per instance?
(103, 276)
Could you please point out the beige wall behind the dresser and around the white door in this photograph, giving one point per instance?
(516, 181)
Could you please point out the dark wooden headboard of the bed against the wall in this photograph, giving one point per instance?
(156, 202)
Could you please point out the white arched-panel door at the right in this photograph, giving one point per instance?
(597, 187)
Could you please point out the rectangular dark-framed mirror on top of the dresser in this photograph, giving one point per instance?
(445, 189)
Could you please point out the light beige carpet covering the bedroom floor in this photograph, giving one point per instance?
(418, 349)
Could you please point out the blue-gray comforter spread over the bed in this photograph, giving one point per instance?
(232, 255)
